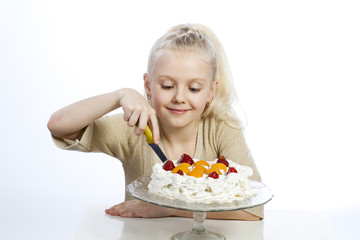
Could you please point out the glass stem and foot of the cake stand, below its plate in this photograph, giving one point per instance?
(198, 231)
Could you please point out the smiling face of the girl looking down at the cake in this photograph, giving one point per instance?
(180, 86)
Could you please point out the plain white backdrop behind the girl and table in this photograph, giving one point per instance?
(296, 67)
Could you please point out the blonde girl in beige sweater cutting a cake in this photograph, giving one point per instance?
(189, 94)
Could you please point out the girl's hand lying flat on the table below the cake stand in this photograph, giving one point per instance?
(137, 208)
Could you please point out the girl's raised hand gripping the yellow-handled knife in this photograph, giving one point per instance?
(138, 111)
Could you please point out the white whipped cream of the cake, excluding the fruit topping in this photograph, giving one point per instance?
(226, 188)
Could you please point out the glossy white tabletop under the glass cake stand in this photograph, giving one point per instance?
(277, 225)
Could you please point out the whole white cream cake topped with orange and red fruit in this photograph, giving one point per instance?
(194, 180)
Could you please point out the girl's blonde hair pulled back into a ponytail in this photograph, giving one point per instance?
(200, 39)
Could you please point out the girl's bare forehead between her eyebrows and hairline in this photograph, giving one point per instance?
(182, 65)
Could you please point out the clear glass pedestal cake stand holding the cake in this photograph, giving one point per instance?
(139, 190)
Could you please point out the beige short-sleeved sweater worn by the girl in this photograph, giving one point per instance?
(111, 135)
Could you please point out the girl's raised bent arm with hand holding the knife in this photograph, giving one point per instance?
(70, 122)
